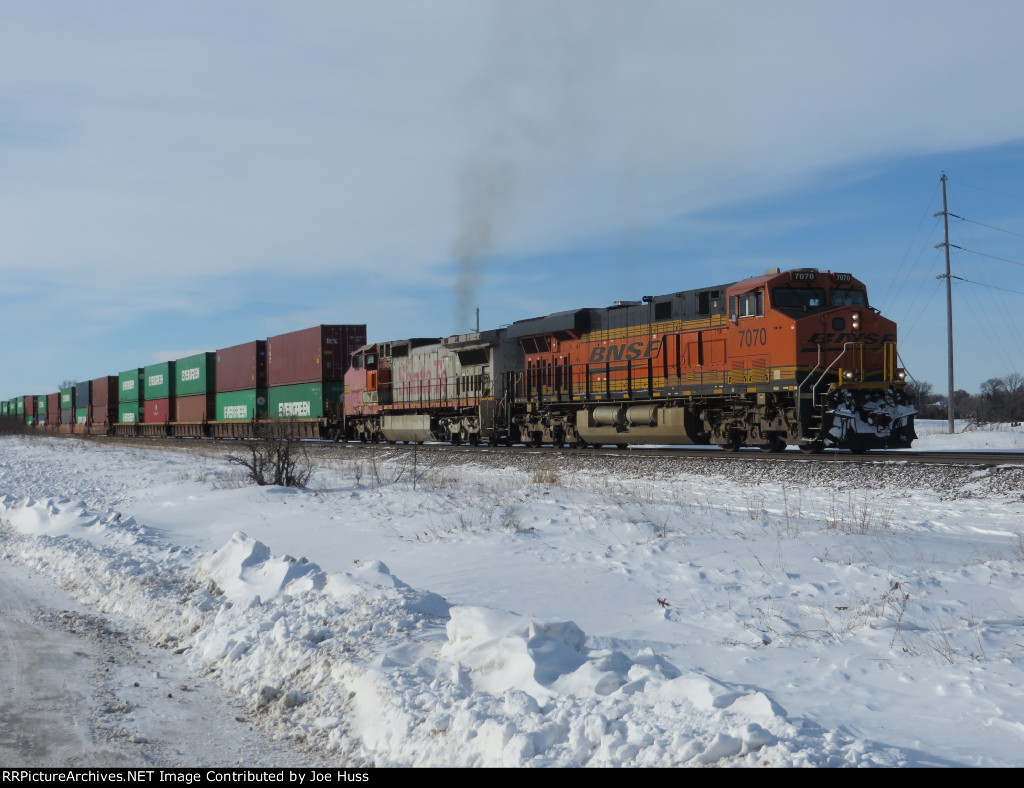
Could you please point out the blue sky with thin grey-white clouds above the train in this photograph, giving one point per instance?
(179, 178)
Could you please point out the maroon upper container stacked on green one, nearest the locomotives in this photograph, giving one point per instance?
(313, 356)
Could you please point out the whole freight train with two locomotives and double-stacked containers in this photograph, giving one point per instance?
(794, 358)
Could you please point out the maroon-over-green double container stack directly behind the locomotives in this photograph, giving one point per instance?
(307, 371)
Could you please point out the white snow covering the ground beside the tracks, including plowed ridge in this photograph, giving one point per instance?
(407, 610)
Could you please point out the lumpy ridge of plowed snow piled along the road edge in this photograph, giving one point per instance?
(362, 665)
